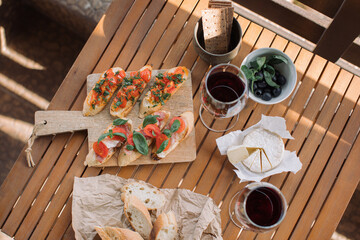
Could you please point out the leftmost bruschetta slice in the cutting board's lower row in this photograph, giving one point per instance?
(113, 137)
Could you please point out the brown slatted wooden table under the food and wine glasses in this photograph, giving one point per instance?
(323, 116)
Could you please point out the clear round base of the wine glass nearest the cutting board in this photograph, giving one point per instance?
(209, 120)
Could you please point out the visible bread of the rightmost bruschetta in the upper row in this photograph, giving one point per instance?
(149, 106)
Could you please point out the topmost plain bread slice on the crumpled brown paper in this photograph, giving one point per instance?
(151, 197)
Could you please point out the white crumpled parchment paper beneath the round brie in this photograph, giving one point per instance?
(290, 162)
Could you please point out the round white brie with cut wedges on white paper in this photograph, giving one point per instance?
(270, 150)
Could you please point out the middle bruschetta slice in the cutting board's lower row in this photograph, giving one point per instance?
(150, 128)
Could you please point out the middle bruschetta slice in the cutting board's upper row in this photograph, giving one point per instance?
(130, 92)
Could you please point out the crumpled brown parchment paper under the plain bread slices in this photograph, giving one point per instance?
(97, 202)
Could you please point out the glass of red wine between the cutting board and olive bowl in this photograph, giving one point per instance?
(224, 93)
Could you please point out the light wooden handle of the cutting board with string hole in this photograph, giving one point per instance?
(52, 122)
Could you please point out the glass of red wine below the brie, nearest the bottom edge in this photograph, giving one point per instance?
(258, 207)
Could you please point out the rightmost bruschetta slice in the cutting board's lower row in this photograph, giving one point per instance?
(174, 133)
